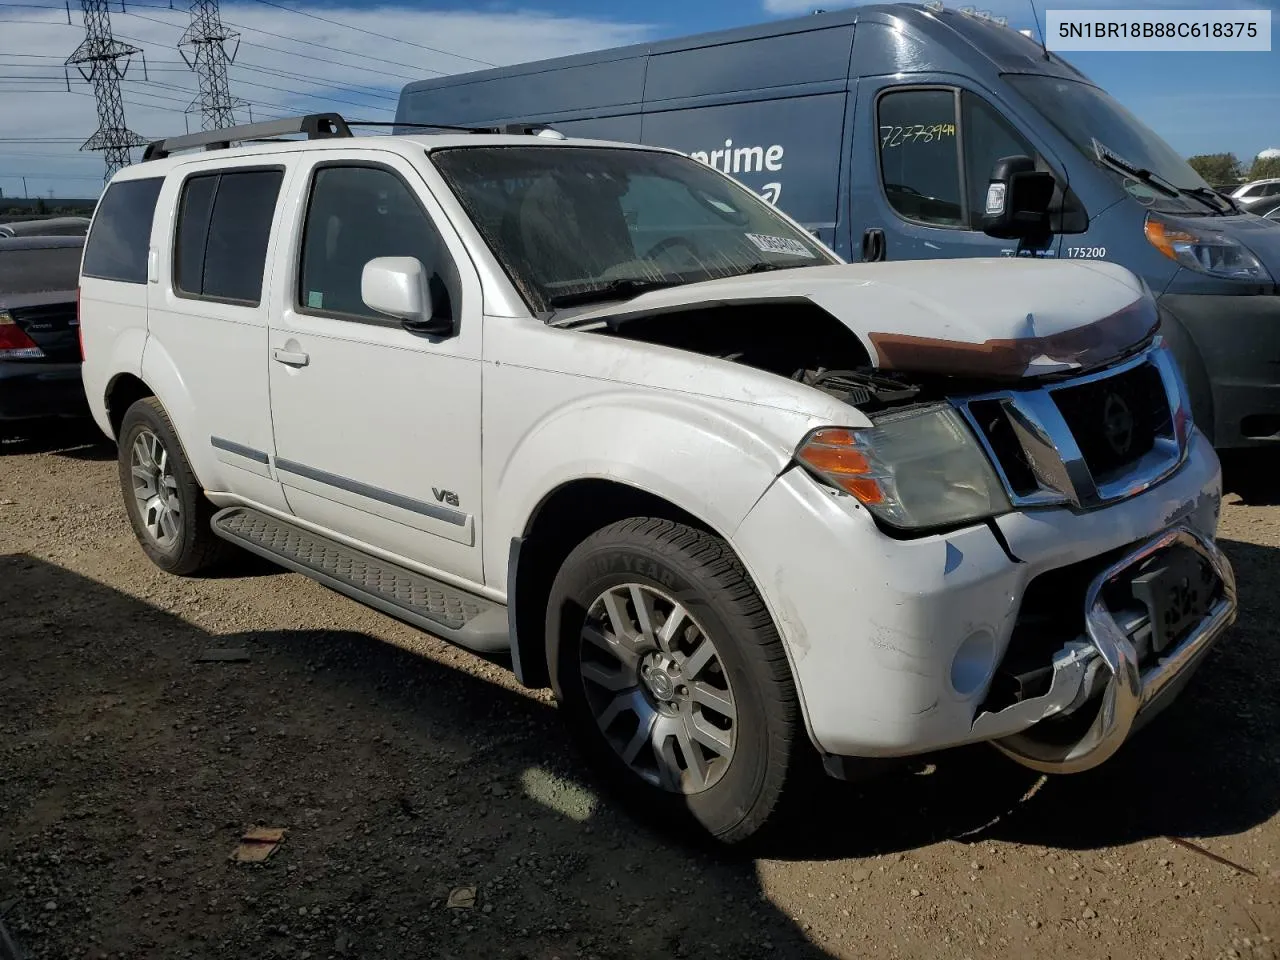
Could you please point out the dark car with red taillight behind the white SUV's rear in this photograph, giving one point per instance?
(40, 355)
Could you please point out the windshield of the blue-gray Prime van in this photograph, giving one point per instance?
(1085, 115)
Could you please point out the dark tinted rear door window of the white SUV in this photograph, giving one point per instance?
(225, 223)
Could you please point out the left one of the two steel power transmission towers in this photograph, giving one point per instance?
(103, 61)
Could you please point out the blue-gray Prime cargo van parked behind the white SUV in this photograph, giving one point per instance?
(879, 129)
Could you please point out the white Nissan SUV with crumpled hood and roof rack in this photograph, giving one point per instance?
(602, 408)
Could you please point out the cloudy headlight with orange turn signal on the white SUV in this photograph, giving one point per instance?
(915, 470)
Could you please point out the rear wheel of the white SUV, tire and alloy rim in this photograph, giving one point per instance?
(175, 532)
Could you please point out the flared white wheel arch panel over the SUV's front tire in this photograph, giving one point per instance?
(711, 459)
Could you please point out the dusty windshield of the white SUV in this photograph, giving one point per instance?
(570, 225)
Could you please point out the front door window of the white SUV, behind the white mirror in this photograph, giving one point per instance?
(356, 214)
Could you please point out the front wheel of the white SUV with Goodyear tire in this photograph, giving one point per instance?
(701, 739)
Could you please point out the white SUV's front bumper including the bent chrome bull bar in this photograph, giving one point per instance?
(894, 644)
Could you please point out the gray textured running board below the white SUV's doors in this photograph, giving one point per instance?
(438, 609)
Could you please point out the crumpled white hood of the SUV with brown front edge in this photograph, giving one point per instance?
(1002, 318)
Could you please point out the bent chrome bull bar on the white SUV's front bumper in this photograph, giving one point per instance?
(1130, 692)
